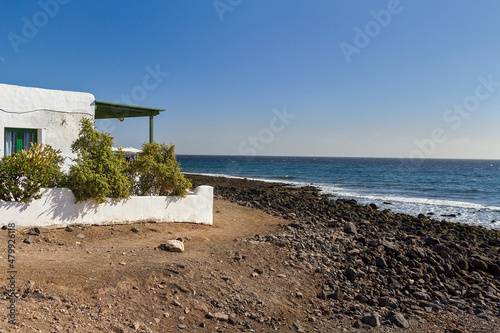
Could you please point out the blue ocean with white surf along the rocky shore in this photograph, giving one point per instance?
(465, 191)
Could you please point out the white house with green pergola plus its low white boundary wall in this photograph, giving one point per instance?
(53, 117)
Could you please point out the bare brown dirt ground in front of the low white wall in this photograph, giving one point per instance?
(115, 279)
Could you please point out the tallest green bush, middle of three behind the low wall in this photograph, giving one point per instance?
(97, 173)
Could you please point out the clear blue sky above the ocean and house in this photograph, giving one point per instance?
(283, 77)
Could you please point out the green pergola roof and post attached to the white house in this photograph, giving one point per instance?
(105, 110)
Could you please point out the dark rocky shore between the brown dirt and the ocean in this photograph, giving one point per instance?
(379, 269)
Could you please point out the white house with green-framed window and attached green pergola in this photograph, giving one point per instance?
(53, 117)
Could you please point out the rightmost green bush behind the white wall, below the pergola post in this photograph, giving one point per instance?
(156, 171)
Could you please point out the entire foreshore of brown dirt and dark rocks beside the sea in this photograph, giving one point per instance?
(277, 258)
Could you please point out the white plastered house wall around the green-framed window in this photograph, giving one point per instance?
(55, 114)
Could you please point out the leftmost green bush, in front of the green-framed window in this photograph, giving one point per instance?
(24, 173)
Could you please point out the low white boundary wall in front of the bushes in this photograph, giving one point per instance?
(57, 208)
